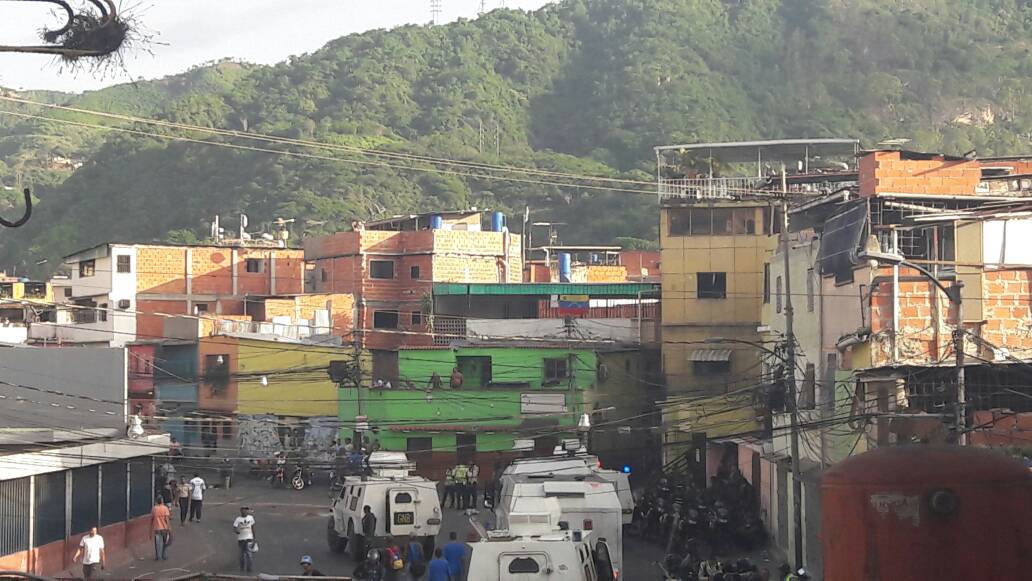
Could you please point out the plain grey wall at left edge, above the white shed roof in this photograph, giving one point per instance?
(93, 373)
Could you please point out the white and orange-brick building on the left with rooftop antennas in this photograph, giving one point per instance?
(122, 293)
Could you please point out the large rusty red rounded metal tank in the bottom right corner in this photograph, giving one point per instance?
(927, 513)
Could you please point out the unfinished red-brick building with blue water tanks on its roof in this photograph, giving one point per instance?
(391, 267)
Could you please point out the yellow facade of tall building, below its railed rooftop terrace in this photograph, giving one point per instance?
(716, 282)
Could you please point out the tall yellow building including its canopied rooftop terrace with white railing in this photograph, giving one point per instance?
(720, 218)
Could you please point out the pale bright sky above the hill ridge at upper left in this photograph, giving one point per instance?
(191, 33)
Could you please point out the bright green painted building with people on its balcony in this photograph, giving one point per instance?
(510, 393)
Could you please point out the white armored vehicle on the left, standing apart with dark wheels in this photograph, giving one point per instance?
(407, 507)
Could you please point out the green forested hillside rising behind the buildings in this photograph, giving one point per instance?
(580, 87)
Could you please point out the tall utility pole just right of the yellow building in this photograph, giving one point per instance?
(790, 350)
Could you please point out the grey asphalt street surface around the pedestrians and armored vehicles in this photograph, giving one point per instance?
(291, 525)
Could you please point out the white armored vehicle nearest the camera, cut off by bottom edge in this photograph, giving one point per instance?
(566, 556)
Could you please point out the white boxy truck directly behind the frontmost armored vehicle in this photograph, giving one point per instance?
(584, 503)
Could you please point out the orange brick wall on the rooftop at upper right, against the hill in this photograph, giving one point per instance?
(888, 173)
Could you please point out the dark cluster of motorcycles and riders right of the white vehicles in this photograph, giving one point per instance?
(694, 524)
